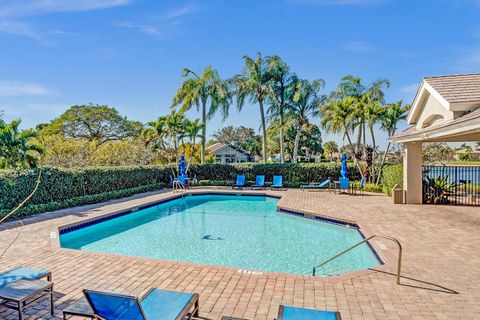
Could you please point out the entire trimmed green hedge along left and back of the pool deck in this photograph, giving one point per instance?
(61, 188)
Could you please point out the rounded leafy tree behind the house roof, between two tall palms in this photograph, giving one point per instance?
(241, 137)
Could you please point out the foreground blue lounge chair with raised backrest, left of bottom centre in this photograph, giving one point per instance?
(156, 304)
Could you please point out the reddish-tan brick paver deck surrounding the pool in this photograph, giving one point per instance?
(441, 268)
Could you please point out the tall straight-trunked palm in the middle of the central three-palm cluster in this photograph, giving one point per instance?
(281, 89)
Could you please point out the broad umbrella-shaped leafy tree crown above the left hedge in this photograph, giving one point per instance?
(98, 123)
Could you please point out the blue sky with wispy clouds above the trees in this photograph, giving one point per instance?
(129, 53)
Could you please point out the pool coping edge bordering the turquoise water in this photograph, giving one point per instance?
(384, 262)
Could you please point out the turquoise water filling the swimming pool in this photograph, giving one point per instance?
(244, 232)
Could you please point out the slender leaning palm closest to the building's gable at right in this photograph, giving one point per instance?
(394, 113)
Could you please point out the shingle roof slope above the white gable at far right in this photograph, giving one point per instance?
(457, 88)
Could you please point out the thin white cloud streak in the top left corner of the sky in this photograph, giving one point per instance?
(16, 8)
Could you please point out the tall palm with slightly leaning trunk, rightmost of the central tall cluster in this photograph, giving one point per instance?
(304, 104)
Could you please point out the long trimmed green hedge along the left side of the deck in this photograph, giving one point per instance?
(62, 188)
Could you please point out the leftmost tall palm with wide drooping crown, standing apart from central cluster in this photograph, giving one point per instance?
(200, 90)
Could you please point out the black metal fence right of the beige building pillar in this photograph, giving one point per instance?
(456, 185)
